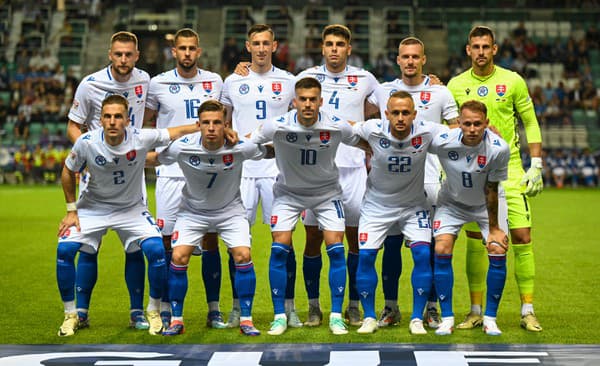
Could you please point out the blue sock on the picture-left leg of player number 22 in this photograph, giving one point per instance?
(366, 280)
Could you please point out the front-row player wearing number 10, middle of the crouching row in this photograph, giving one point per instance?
(306, 141)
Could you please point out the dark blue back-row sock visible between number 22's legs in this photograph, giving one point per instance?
(391, 266)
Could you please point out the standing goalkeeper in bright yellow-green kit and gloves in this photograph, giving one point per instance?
(505, 95)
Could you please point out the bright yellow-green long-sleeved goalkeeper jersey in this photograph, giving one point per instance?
(505, 95)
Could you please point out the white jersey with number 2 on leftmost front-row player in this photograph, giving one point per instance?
(117, 172)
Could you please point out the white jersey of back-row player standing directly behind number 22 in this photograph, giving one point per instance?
(433, 103)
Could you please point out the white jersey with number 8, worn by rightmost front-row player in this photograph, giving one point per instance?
(468, 168)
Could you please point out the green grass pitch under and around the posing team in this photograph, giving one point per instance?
(566, 299)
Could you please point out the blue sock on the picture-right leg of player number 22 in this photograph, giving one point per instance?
(421, 278)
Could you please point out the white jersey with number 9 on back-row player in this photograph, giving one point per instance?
(256, 98)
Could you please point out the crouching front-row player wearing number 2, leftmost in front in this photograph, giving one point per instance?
(113, 199)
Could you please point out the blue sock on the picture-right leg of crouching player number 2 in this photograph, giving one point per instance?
(157, 267)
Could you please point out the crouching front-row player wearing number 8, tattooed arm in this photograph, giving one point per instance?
(475, 161)
